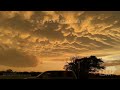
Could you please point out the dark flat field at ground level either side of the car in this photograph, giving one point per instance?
(23, 75)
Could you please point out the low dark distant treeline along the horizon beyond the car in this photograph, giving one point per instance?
(9, 72)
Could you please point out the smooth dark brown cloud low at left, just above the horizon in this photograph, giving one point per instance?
(15, 58)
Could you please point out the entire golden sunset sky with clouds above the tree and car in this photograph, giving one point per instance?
(46, 40)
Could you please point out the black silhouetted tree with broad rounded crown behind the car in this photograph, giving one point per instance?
(83, 66)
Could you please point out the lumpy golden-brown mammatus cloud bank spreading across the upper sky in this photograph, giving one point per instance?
(100, 32)
